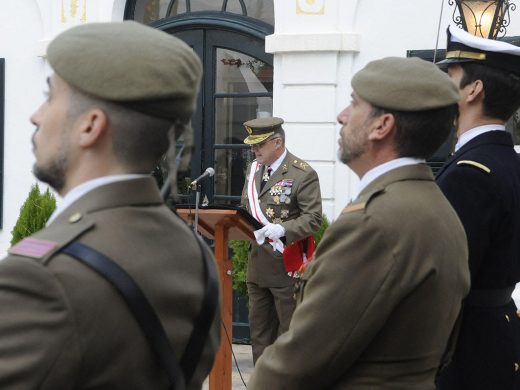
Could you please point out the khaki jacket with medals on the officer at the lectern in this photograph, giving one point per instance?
(291, 198)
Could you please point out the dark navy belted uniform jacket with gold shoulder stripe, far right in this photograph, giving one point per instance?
(482, 182)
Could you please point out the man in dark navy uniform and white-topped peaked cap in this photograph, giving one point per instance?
(482, 182)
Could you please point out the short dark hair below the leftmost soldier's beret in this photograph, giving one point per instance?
(139, 140)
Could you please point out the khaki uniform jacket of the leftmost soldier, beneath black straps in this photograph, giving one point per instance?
(62, 326)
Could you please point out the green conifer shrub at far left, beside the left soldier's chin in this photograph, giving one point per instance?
(34, 213)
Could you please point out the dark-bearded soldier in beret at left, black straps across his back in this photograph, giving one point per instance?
(106, 121)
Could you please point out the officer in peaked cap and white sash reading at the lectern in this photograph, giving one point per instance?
(283, 193)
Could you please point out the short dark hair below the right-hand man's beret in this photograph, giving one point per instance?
(420, 133)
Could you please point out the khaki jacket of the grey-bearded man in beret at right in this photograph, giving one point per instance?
(378, 303)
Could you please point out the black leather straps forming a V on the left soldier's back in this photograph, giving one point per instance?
(147, 318)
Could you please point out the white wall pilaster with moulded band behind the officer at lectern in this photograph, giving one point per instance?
(313, 46)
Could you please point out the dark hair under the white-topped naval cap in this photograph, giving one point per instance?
(501, 89)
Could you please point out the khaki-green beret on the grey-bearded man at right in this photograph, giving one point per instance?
(404, 84)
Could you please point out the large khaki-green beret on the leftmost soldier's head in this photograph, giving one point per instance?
(130, 64)
